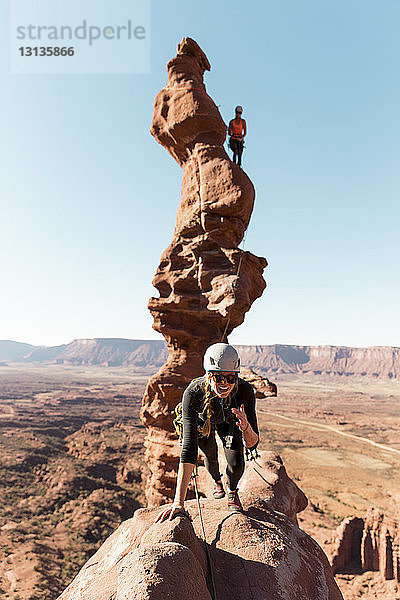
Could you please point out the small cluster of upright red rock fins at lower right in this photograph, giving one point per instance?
(369, 544)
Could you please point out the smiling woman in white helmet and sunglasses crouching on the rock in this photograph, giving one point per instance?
(221, 402)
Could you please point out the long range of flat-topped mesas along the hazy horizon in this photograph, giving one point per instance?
(373, 361)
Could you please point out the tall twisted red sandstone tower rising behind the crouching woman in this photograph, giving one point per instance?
(206, 283)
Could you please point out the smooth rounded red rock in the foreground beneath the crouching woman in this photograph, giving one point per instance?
(258, 554)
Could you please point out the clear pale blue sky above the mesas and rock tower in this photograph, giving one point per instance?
(88, 198)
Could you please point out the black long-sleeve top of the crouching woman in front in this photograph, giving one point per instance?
(192, 409)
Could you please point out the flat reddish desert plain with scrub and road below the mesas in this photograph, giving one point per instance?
(71, 461)
